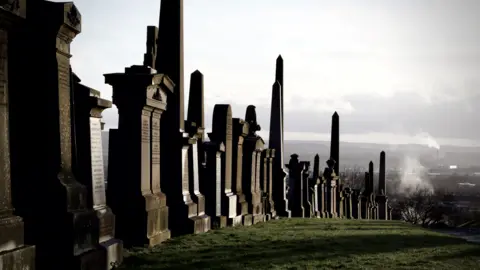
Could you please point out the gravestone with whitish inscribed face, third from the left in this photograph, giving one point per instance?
(89, 166)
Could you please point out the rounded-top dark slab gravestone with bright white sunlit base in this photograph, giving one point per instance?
(222, 131)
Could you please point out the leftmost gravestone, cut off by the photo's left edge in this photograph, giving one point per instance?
(14, 254)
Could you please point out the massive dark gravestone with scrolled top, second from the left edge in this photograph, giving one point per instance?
(58, 219)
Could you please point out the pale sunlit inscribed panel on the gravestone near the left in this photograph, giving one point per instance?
(98, 175)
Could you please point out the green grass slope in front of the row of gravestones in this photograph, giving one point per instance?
(311, 244)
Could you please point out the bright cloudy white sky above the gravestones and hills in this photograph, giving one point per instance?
(395, 71)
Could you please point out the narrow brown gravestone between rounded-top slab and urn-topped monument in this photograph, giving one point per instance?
(240, 131)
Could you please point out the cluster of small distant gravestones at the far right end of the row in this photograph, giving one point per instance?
(312, 194)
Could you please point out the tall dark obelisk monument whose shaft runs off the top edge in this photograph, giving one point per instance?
(184, 217)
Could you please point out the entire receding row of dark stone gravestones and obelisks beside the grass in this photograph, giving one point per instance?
(164, 178)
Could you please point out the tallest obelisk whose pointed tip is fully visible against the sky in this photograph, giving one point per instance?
(275, 141)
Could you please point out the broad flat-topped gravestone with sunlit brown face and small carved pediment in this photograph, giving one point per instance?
(134, 163)
